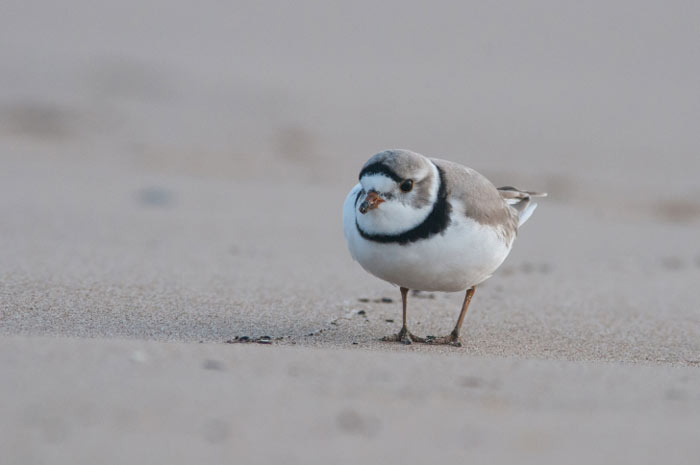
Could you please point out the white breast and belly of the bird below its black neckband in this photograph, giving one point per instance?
(465, 254)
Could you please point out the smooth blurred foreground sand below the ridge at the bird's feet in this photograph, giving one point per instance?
(115, 401)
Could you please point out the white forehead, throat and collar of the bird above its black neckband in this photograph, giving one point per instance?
(393, 216)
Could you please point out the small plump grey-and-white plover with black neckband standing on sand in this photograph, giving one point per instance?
(427, 224)
